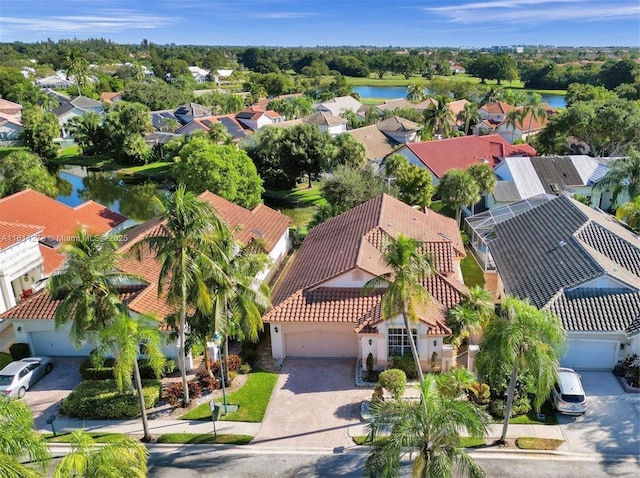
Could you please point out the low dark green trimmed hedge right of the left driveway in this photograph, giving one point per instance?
(100, 399)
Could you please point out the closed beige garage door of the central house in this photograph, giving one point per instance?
(321, 344)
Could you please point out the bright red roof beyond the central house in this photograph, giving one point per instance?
(442, 155)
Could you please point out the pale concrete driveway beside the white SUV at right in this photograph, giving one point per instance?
(612, 422)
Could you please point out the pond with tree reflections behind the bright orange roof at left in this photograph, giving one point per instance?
(134, 200)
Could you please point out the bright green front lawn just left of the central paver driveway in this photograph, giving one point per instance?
(252, 400)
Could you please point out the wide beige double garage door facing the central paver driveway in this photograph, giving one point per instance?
(321, 340)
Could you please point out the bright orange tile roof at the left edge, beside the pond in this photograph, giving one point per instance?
(57, 220)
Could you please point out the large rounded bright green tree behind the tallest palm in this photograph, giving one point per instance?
(222, 169)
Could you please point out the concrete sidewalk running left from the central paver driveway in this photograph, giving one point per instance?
(156, 427)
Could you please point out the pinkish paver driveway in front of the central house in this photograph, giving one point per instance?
(313, 404)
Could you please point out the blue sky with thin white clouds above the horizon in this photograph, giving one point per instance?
(408, 23)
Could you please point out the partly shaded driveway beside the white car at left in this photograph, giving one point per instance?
(45, 396)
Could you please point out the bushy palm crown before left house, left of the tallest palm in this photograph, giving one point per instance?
(88, 286)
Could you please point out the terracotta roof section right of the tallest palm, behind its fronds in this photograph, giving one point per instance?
(261, 222)
